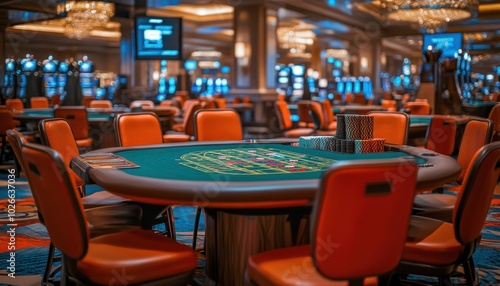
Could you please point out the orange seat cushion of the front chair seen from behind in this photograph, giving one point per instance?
(289, 266)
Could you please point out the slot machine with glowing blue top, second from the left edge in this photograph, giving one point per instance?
(29, 82)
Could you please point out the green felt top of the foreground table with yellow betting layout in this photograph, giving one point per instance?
(240, 162)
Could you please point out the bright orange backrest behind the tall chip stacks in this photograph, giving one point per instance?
(391, 125)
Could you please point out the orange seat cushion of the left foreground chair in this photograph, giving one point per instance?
(139, 254)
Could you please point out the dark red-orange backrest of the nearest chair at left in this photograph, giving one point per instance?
(57, 199)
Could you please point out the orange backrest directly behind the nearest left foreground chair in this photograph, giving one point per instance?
(56, 133)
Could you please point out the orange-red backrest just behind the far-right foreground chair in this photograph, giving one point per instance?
(477, 133)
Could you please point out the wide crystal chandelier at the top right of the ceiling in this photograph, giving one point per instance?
(431, 16)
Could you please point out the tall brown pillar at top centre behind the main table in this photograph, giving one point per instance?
(255, 23)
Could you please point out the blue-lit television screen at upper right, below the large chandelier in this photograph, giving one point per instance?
(448, 43)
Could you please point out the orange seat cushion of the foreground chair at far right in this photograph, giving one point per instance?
(431, 241)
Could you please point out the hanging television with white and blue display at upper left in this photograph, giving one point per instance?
(158, 38)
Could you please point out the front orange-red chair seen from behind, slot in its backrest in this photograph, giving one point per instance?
(358, 230)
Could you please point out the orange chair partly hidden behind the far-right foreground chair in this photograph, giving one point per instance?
(440, 206)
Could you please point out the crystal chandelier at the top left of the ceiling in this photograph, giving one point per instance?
(84, 16)
